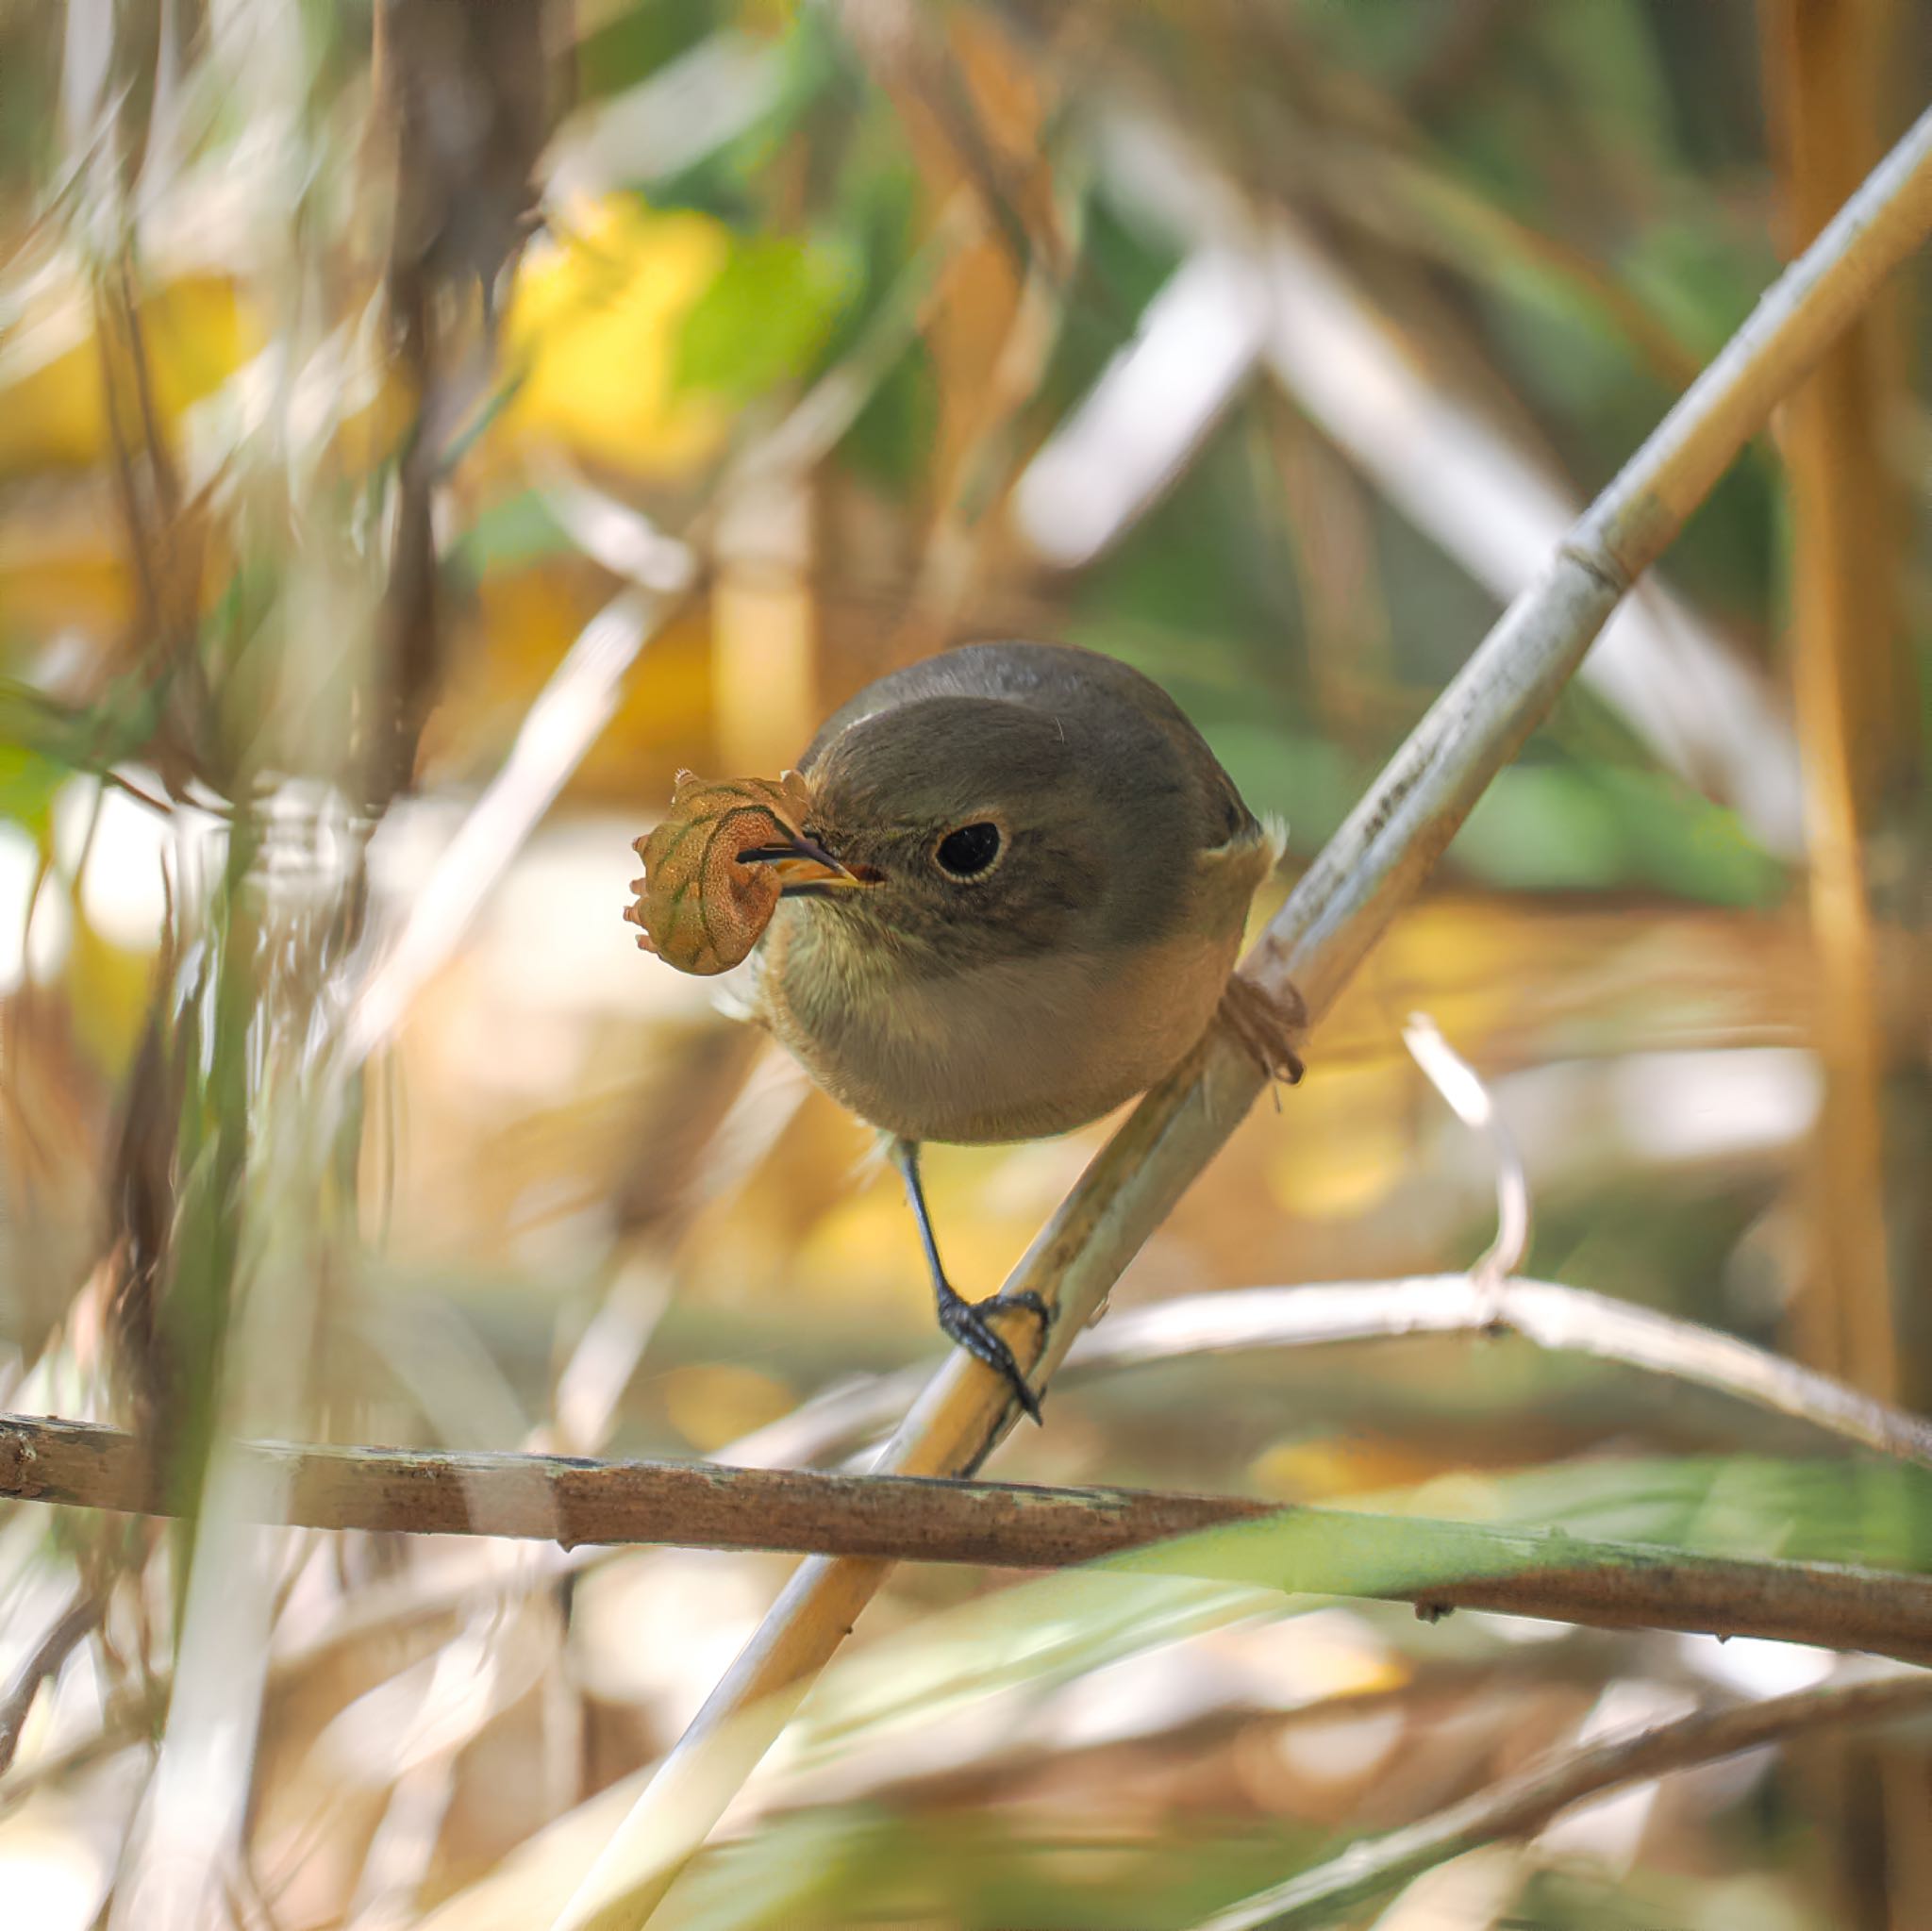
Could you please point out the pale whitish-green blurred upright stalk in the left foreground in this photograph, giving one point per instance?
(289, 648)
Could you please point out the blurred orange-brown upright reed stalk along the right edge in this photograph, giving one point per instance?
(1827, 86)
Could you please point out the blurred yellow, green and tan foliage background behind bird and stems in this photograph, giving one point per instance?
(428, 428)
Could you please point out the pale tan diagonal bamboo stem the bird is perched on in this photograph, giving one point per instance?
(1371, 868)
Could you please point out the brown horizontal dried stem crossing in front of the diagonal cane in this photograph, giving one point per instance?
(695, 1505)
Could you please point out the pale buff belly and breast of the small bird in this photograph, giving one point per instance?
(1008, 1051)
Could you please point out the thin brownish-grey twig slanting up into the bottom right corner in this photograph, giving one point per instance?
(1523, 1805)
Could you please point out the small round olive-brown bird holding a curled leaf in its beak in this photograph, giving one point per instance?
(1015, 905)
